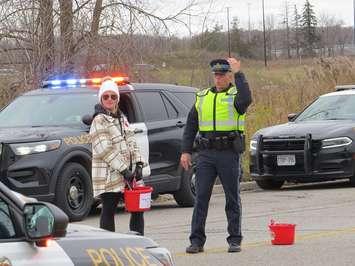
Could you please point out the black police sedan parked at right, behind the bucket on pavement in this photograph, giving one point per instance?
(315, 145)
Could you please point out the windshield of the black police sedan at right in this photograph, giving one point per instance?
(333, 107)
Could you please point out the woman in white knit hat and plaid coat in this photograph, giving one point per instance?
(116, 160)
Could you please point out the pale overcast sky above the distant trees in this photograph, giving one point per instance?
(340, 9)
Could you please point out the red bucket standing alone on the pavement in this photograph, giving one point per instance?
(283, 234)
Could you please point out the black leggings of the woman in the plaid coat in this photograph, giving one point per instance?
(107, 220)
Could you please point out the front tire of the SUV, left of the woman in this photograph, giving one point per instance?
(74, 191)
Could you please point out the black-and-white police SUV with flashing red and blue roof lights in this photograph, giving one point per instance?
(46, 151)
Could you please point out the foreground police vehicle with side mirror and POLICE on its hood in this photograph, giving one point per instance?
(29, 232)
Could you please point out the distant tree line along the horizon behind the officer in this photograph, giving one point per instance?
(299, 34)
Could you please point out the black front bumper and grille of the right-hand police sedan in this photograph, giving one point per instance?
(312, 164)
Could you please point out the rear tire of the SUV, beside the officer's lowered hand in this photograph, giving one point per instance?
(185, 196)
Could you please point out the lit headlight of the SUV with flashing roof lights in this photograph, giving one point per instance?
(35, 147)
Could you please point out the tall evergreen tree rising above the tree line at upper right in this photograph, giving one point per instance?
(309, 24)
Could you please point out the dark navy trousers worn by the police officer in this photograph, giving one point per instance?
(225, 164)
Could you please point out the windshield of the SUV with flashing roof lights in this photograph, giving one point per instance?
(48, 110)
